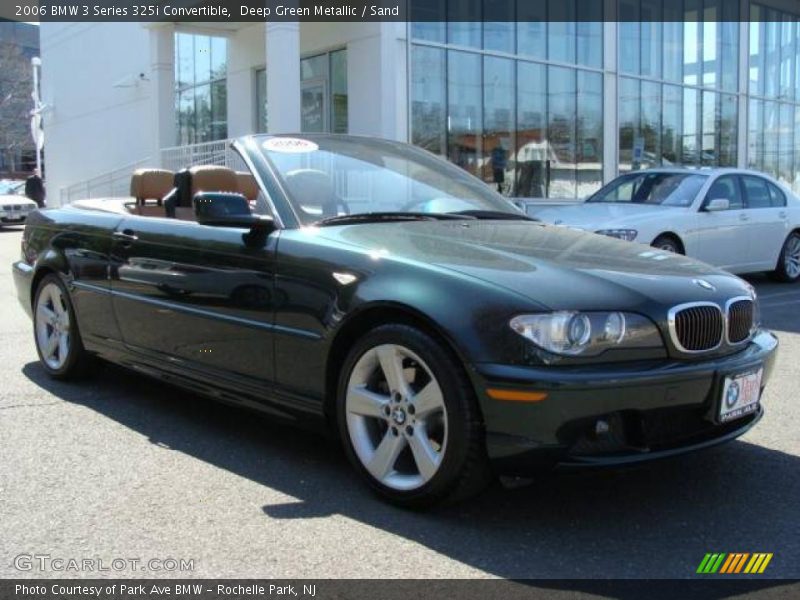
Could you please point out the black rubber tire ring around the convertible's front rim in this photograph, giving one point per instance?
(460, 405)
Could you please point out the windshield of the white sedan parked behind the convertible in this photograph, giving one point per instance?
(665, 189)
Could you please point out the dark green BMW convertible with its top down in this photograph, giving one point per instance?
(372, 287)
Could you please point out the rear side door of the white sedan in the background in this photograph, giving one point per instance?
(767, 218)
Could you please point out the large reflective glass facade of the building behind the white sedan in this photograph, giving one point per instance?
(549, 106)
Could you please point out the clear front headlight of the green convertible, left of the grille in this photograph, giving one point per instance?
(570, 333)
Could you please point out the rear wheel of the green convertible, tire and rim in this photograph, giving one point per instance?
(55, 331)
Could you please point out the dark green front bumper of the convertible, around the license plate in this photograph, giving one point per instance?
(650, 410)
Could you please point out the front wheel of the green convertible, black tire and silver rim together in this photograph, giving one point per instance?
(424, 445)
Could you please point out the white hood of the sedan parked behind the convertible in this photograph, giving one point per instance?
(600, 215)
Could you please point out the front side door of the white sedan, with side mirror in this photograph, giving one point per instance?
(722, 236)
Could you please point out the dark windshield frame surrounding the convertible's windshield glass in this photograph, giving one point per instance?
(282, 204)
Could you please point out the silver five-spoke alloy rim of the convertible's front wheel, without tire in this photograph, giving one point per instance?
(396, 417)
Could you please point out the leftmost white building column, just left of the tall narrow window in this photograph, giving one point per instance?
(162, 85)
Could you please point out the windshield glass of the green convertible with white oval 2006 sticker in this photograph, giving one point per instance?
(328, 177)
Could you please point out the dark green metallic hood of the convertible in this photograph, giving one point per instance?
(556, 267)
